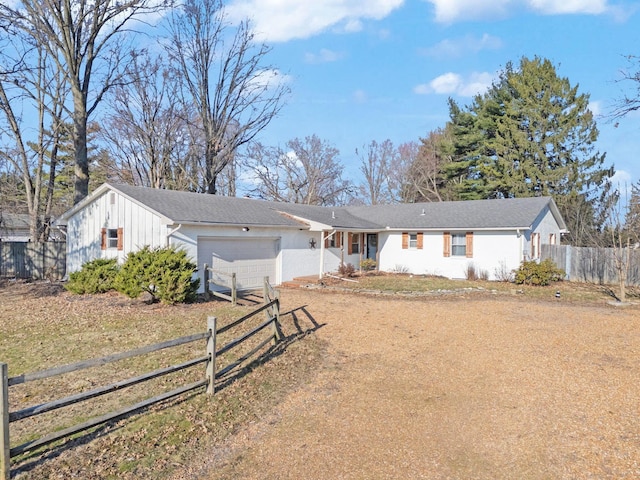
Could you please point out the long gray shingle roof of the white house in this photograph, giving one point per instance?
(187, 207)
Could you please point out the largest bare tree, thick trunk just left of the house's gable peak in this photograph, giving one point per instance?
(80, 37)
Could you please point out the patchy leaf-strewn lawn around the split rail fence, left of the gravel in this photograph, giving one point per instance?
(44, 326)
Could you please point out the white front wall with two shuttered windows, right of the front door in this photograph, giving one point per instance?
(491, 250)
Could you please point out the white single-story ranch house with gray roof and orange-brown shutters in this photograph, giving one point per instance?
(257, 238)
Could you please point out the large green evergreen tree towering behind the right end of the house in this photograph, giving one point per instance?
(531, 134)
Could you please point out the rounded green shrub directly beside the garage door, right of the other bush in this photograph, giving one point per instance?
(165, 273)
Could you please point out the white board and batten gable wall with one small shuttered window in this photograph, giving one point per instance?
(111, 211)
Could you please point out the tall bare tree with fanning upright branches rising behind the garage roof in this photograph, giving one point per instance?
(221, 67)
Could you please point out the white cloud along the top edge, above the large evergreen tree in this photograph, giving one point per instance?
(448, 11)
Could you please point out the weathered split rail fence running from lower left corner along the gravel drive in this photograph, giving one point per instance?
(271, 307)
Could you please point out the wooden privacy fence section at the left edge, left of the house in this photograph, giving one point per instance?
(33, 260)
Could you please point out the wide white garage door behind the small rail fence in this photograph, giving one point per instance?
(250, 259)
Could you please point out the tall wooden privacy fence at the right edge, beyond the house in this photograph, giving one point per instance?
(591, 264)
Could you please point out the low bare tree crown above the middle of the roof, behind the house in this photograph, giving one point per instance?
(307, 171)
